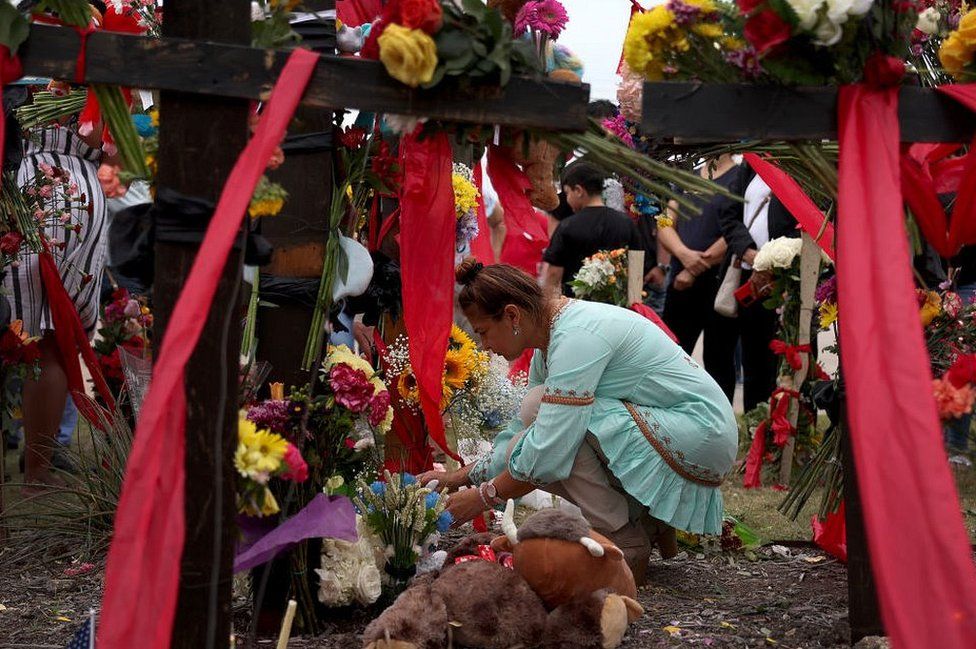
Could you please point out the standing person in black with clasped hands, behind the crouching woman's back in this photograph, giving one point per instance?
(697, 250)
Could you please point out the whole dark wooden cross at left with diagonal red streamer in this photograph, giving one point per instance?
(207, 74)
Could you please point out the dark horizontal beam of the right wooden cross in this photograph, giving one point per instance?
(705, 112)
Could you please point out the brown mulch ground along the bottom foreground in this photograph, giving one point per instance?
(783, 597)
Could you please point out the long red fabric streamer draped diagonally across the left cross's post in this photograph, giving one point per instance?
(143, 569)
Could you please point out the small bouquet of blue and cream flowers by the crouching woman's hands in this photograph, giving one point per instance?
(406, 517)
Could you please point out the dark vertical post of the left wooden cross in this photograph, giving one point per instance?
(200, 138)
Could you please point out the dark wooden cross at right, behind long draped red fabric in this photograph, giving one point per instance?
(706, 112)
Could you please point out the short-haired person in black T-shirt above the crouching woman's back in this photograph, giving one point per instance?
(593, 227)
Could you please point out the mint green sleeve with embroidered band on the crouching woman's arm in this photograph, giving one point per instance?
(547, 450)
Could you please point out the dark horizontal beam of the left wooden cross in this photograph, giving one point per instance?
(339, 82)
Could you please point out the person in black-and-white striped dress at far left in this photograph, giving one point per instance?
(80, 261)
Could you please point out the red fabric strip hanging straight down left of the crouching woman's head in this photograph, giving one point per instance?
(427, 232)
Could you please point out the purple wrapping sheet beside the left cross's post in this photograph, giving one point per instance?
(324, 517)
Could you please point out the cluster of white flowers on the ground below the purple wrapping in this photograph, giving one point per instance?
(351, 572)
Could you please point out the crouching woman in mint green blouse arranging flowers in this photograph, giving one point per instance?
(628, 422)
